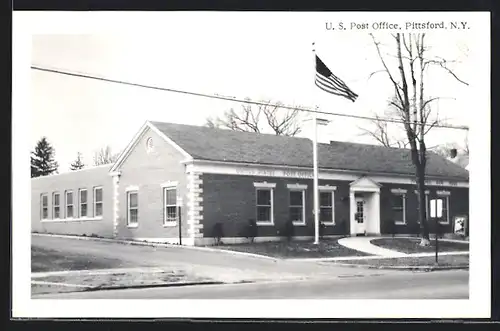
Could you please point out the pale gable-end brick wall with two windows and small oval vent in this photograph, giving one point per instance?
(148, 171)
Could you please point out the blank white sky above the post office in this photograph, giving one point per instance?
(272, 60)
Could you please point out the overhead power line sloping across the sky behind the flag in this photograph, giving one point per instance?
(234, 99)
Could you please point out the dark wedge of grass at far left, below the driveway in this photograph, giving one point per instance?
(52, 260)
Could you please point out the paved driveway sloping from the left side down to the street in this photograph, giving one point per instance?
(217, 265)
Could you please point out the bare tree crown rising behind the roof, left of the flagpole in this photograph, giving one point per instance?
(268, 116)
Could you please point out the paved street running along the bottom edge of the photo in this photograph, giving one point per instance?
(400, 285)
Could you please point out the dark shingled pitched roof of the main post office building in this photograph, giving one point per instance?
(204, 143)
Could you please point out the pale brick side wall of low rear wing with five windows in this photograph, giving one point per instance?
(75, 180)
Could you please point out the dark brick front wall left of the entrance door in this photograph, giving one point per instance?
(232, 200)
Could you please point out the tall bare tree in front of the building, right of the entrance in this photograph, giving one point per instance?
(412, 104)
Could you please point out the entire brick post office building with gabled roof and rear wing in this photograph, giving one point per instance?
(228, 177)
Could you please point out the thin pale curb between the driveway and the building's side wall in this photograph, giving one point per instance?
(155, 244)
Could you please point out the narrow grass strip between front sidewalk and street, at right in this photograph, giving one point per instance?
(443, 261)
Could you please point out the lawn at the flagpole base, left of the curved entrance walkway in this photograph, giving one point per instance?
(295, 249)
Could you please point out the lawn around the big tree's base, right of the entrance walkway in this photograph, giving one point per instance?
(411, 245)
